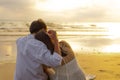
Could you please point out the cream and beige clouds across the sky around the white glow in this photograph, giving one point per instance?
(97, 11)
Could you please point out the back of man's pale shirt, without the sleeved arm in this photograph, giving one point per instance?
(26, 68)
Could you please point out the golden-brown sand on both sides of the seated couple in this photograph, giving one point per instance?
(104, 66)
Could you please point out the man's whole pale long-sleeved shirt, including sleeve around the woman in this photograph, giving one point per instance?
(31, 54)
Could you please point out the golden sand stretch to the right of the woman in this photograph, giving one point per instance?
(104, 66)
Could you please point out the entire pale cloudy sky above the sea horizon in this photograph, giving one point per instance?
(61, 10)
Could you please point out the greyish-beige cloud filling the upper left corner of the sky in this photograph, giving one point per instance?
(12, 9)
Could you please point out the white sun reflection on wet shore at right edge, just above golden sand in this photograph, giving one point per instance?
(112, 48)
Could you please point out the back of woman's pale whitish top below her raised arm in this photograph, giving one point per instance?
(69, 71)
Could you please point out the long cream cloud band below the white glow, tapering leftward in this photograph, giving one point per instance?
(80, 15)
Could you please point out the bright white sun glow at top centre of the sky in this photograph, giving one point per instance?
(60, 5)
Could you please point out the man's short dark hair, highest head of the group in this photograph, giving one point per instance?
(37, 25)
